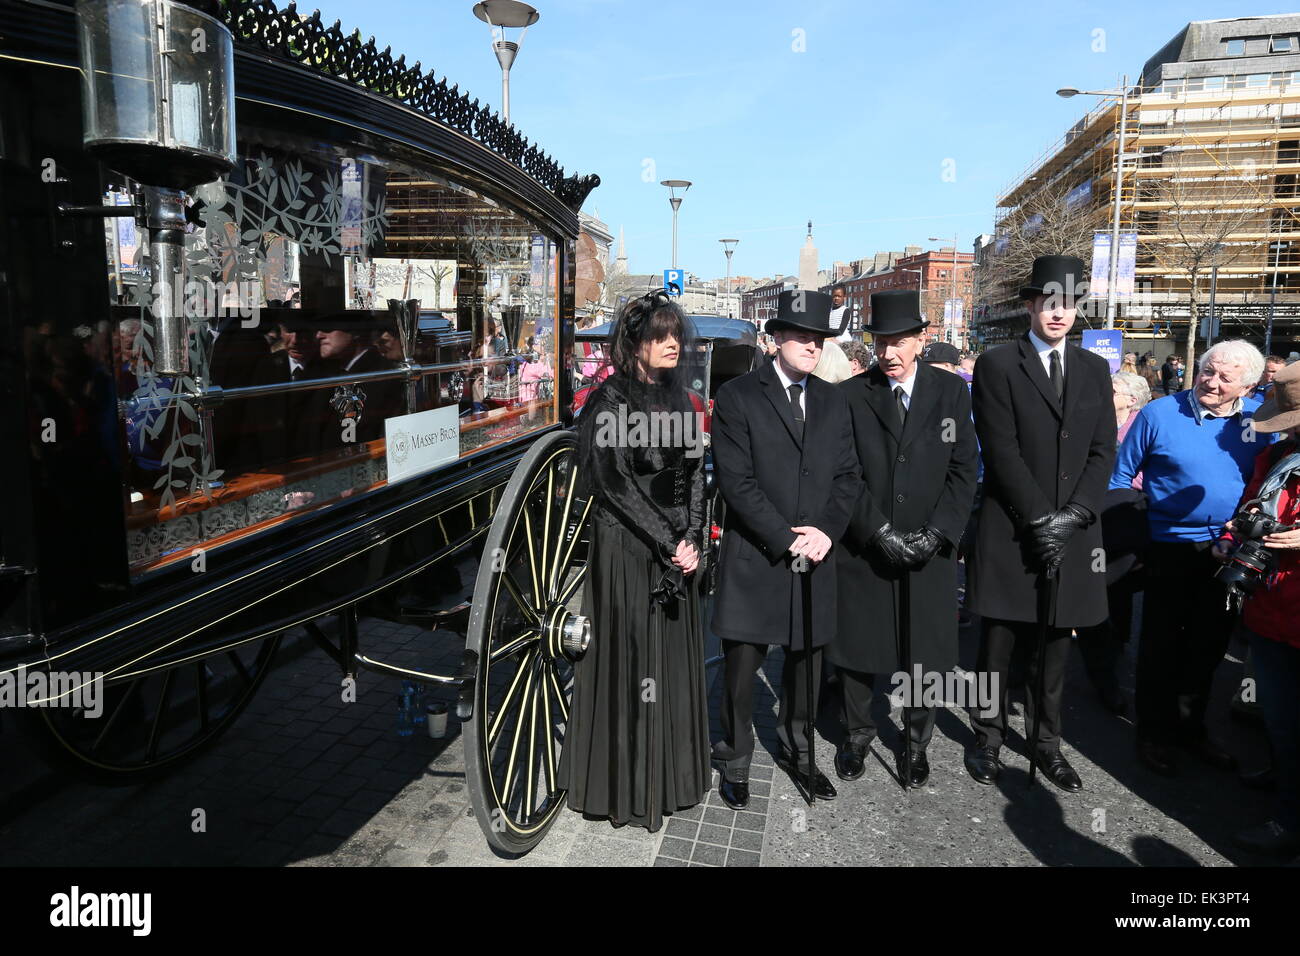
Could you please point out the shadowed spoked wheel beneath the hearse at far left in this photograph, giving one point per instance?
(151, 723)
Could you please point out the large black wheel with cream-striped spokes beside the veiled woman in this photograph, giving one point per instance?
(527, 638)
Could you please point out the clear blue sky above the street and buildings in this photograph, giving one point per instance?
(853, 132)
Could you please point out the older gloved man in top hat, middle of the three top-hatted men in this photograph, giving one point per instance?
(916, 447)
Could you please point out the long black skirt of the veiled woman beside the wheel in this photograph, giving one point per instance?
(638, 741)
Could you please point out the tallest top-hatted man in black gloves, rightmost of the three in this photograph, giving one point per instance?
(1047, 432)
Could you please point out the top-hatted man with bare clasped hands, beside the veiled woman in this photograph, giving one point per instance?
(783, 453)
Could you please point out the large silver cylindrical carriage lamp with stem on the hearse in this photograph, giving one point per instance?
(158, 106)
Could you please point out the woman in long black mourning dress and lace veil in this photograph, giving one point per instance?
(638, 742)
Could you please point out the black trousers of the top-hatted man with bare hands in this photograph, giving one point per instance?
(736, 749)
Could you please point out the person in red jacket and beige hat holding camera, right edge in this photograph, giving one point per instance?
(1271, 617)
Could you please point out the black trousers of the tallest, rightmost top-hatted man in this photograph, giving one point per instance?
(998, 644)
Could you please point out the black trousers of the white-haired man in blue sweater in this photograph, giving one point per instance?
(1186, 629)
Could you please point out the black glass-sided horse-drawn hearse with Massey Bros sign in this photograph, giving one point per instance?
(263, 360)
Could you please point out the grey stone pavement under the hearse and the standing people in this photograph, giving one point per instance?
(305, 780)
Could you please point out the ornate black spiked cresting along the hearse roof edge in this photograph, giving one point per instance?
(345, 57)
